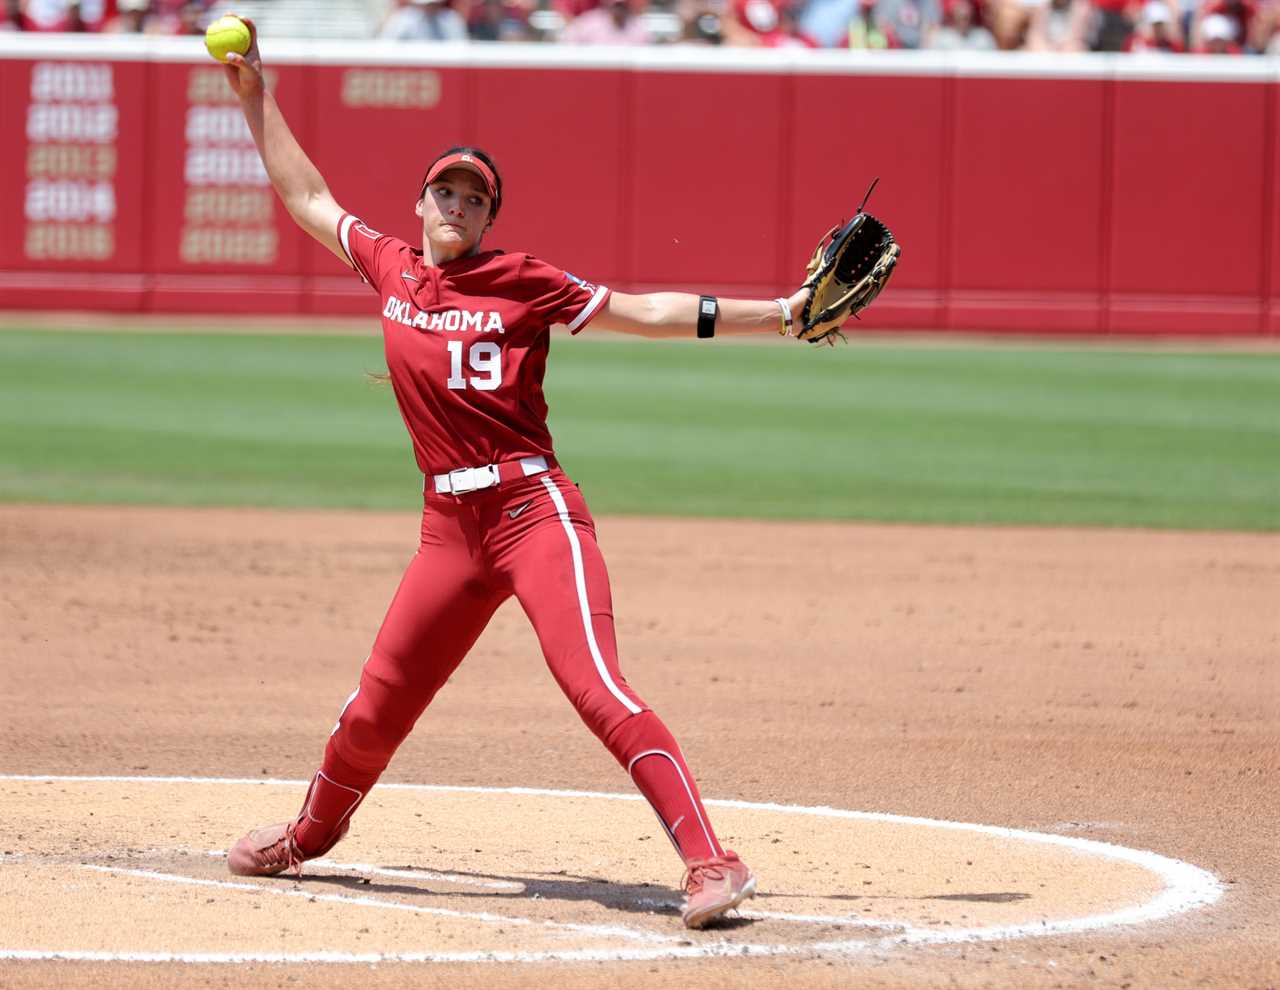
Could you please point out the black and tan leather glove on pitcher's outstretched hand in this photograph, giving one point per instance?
(849, 268)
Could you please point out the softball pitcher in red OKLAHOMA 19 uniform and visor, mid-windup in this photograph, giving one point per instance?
(467, 336)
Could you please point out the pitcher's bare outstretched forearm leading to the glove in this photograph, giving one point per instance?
(675, 314)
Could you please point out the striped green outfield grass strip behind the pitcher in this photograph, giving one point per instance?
(982, 434)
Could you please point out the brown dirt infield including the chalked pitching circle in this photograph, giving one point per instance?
(1103, 706)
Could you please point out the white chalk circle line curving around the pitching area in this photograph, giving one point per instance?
(1187, 888)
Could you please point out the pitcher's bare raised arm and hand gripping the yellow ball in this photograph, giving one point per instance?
(299, 184)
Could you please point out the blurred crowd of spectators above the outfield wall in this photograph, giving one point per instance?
(1227, 28)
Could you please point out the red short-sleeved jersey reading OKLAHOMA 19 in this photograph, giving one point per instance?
(467, 345)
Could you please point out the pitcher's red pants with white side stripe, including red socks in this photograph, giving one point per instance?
(533, 539)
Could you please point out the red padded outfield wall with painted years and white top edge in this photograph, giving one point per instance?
(1085, 194)
